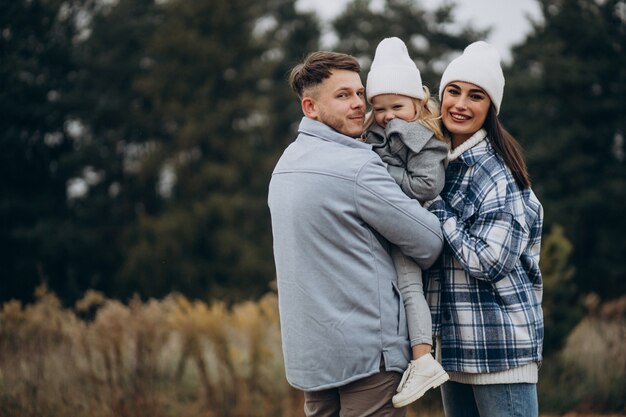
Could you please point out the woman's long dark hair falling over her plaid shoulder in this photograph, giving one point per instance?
(507, 147)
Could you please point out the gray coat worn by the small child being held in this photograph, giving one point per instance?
(417, 160)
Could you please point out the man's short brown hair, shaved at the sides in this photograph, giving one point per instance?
(317, 66)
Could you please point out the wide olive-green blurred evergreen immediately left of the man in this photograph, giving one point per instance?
(216, 82)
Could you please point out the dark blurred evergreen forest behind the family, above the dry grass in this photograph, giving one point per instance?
(137, 139)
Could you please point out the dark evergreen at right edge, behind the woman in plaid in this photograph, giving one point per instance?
(566, 90)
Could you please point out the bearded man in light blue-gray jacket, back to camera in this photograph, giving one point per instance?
(334, 211)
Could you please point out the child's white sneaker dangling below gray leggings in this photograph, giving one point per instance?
(422, 374)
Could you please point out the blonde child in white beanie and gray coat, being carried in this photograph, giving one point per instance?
(404, 129)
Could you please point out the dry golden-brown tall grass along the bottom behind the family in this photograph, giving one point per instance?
(178, 357)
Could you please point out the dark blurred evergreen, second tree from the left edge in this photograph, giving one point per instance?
(118, 129)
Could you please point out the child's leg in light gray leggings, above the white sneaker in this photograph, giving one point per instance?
(417, 311)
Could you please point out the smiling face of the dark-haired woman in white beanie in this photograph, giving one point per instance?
(464, 108)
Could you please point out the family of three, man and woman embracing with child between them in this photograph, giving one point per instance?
(409, 224)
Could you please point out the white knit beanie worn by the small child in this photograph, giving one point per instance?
(393, 71)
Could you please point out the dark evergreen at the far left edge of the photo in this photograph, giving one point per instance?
(36, 73)
